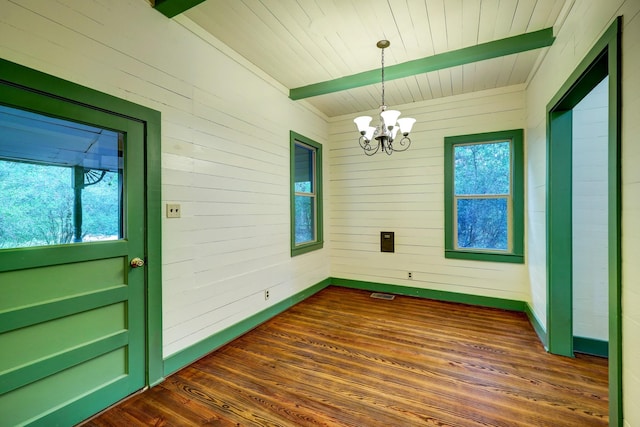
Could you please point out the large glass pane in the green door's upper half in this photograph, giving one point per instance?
(60, 181)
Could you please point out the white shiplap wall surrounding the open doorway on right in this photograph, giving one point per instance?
(584, 25)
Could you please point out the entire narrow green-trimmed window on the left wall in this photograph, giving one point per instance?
(306, 209)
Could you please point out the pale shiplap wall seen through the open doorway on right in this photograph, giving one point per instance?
(590, 275)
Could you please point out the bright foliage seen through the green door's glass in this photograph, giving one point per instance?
(37, 206)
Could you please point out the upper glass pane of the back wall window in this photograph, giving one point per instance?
(482, 168)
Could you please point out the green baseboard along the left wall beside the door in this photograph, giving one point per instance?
(196, 351)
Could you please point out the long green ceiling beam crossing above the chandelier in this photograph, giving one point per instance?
(480, 52)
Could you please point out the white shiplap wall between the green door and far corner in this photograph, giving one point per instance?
(225, 150)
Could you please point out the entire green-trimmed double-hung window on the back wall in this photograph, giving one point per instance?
(484, 208)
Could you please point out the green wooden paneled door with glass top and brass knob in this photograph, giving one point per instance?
(72, 315)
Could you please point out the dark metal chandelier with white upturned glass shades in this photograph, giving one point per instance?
(382, 136)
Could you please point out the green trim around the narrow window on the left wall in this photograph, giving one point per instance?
(298, 249)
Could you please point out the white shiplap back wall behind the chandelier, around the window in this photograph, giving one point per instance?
(404, 193)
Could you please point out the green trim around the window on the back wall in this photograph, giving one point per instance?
(516, 210)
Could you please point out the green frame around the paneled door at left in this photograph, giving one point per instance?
(28, 79)
